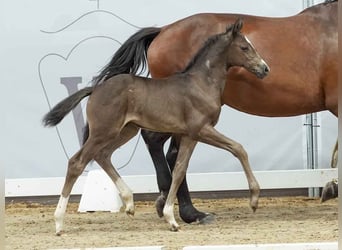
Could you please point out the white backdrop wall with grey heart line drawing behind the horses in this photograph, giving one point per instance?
(44, 41)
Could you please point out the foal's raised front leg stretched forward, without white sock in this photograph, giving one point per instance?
(209, 135)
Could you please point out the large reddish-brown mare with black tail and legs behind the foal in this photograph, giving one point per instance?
(301, 51)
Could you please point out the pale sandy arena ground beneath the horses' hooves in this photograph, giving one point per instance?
(286, 220)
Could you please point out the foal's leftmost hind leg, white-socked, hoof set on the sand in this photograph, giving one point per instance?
(75, 168)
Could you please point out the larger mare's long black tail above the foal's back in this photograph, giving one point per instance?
(130, 58)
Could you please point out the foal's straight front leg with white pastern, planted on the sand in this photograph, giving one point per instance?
(186, 148)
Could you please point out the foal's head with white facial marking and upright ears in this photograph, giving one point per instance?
(242, 53)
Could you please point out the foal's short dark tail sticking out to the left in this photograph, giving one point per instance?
(58, 112)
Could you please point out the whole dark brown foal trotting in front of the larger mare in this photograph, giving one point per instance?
(187, 104)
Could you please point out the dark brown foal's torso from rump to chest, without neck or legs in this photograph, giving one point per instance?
(178, 103)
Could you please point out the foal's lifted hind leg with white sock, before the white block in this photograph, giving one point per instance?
(103, 158)
